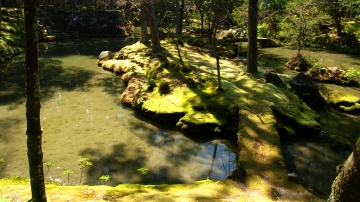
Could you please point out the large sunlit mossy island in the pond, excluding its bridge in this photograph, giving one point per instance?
(194, 93)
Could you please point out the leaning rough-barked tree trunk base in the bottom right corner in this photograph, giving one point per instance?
(347, 184)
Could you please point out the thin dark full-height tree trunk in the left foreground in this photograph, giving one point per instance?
(33, 130)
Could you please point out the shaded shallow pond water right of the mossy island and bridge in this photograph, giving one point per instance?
(313, 160)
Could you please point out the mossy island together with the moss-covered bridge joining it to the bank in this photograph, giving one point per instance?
(245, 108)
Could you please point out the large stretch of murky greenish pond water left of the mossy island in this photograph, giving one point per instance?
(81, 116)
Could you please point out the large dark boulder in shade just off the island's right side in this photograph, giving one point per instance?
(307, 90)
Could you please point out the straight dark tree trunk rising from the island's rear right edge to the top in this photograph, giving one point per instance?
(252, 35)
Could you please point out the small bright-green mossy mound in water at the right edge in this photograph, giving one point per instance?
(344, 102)
